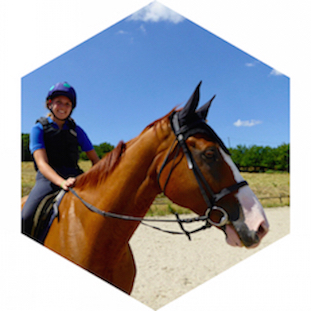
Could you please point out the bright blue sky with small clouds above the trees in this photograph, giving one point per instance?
(140, 68)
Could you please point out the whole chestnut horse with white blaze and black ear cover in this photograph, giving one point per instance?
(178, 154)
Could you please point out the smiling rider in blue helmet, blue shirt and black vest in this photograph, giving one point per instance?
(54, 143)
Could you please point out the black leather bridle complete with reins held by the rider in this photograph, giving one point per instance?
(210, 198)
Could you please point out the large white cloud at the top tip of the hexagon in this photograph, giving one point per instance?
(156, 12)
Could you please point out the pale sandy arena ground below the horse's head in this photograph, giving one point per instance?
(170, 265)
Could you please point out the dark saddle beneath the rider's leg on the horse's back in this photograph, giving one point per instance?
(46, 212)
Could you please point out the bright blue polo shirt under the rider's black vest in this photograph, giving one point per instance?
(37, 142)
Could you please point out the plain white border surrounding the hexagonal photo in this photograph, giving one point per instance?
(275, 32)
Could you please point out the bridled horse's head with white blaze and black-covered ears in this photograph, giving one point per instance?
(212, 184)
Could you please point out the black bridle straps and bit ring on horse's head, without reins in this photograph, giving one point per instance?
(210, 198)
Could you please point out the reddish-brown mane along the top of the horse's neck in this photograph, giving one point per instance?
(99, 172)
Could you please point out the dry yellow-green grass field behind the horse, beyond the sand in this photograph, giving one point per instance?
(272, 189)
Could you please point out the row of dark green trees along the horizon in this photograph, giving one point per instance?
(249, 159)
